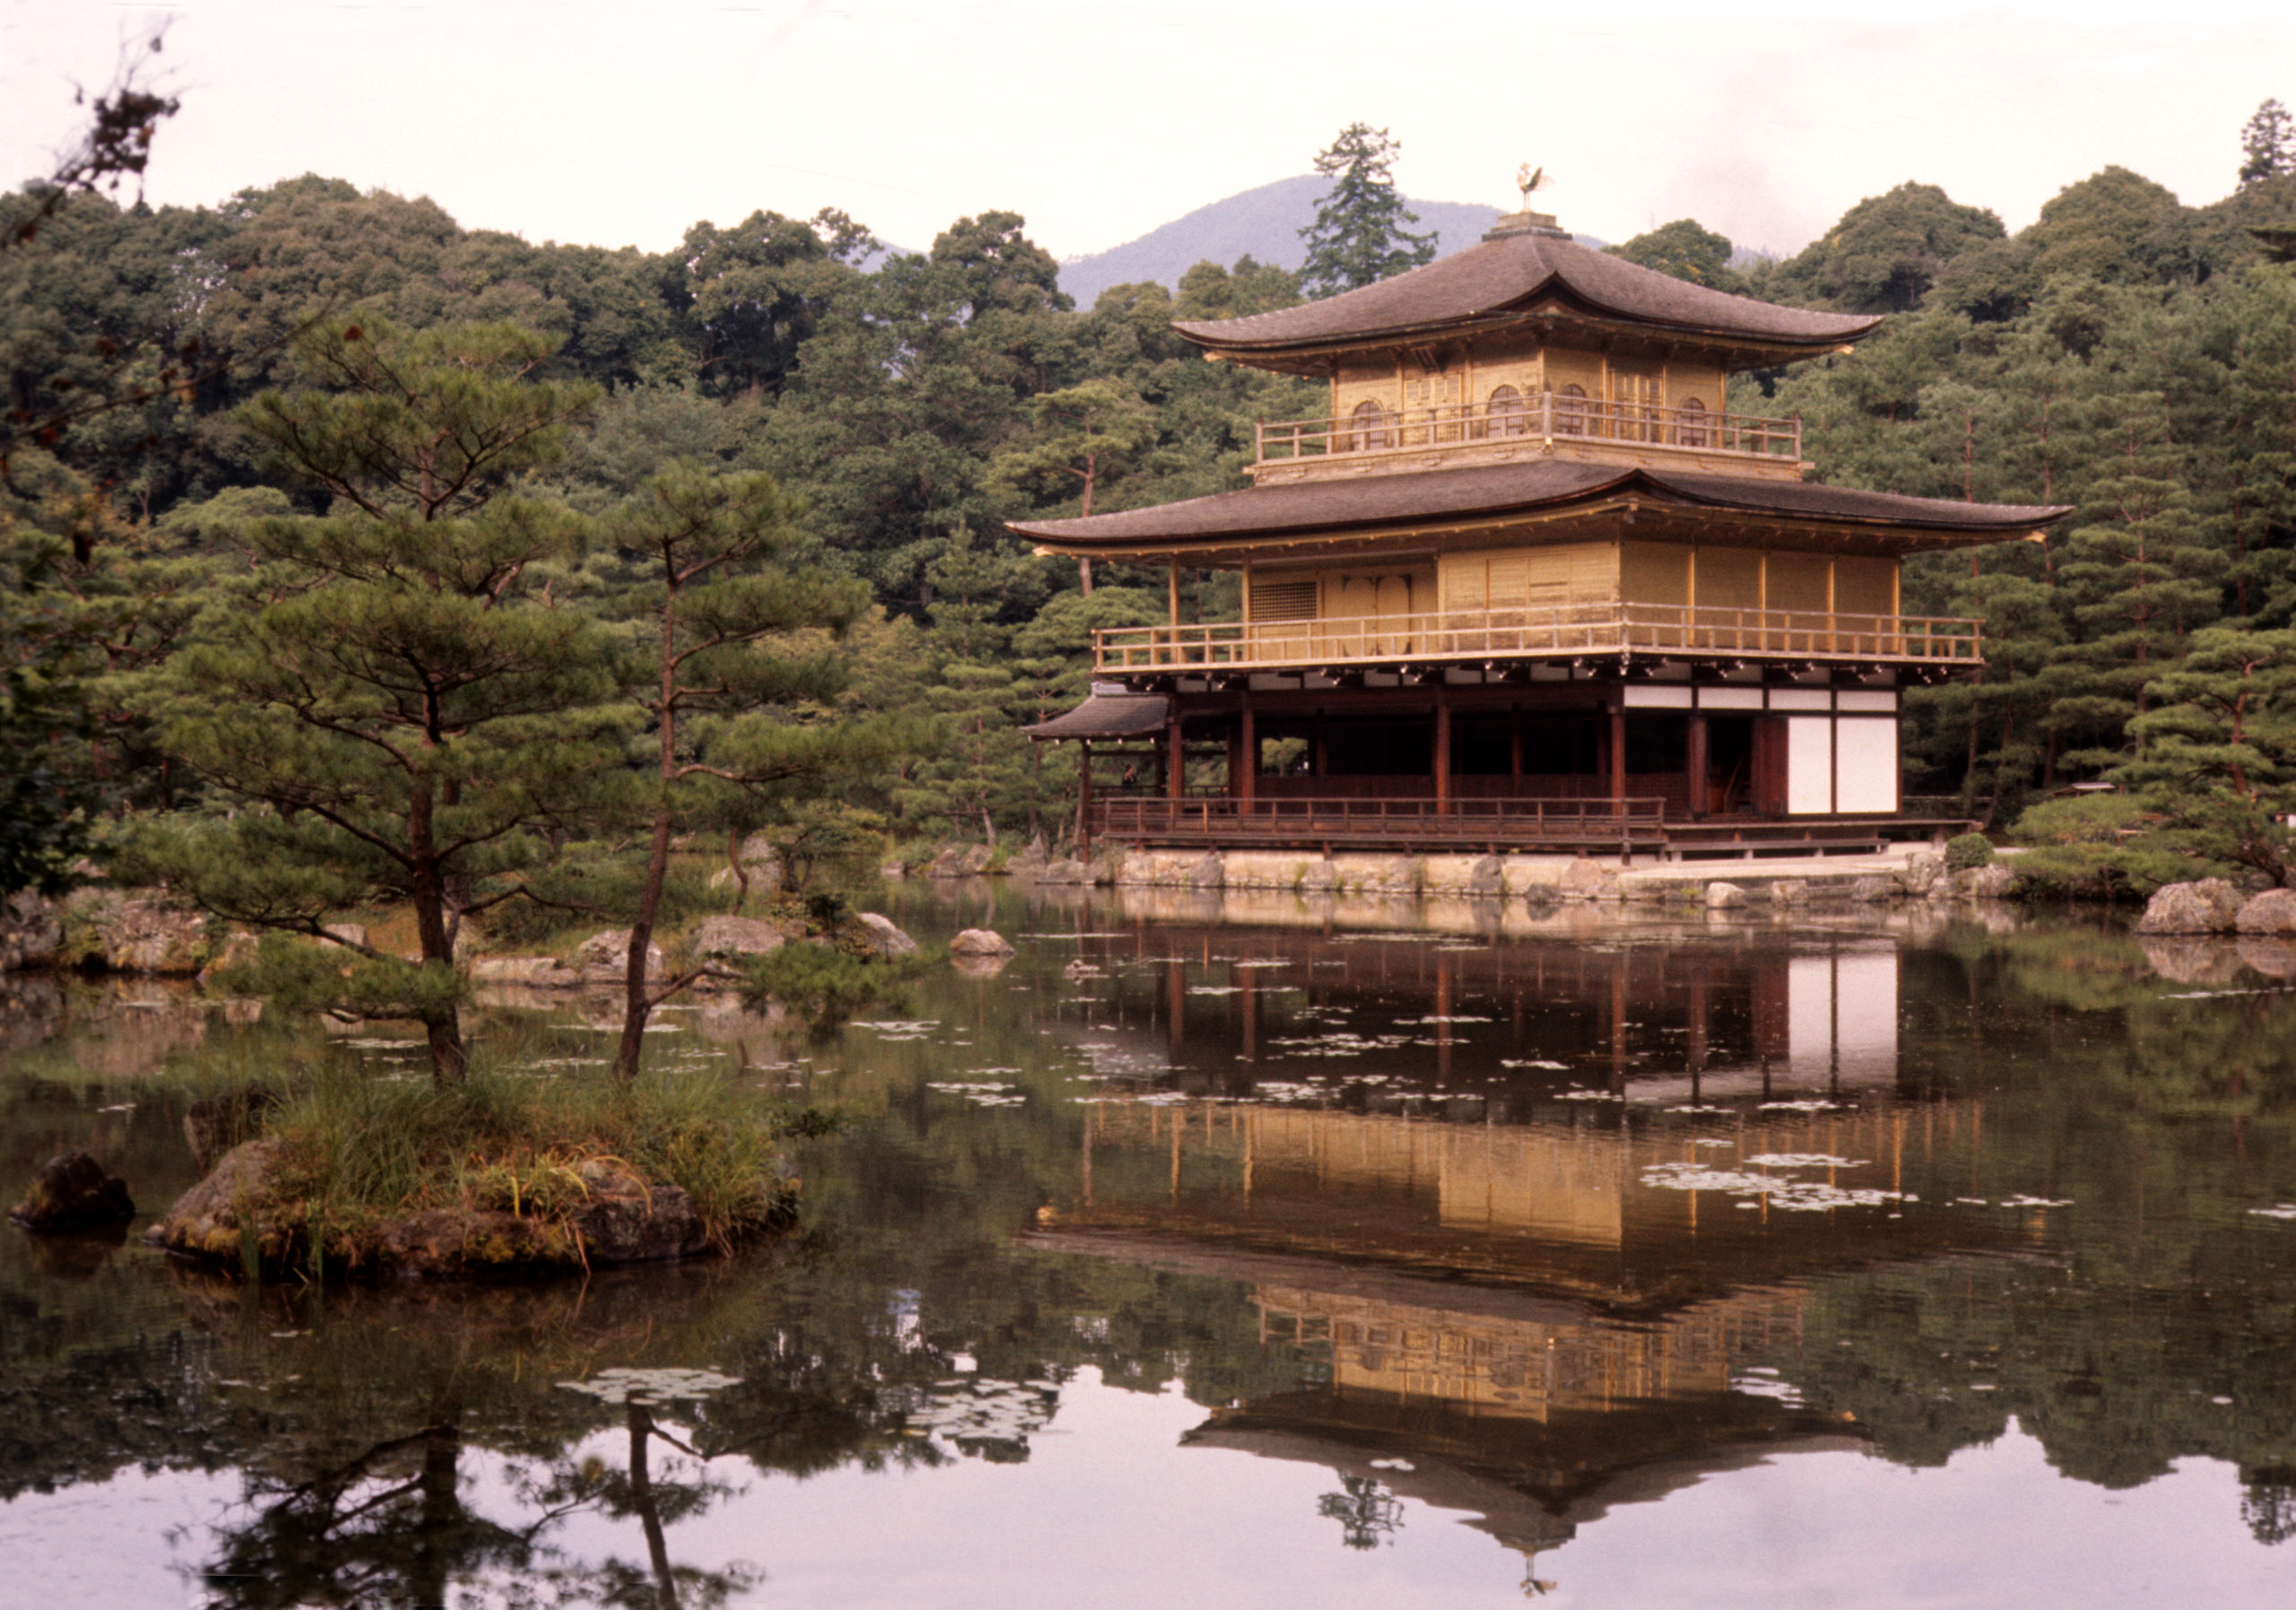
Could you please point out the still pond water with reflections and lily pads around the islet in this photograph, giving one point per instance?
(1266, 1257)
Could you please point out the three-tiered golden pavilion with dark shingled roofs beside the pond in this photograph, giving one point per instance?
(1526, 587)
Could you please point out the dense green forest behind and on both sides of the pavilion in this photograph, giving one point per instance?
(2123, 355)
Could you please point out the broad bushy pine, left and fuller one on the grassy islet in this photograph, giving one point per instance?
(408, 706)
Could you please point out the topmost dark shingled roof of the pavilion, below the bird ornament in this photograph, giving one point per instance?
(1512, 274)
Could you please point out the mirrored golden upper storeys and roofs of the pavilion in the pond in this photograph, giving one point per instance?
(1523, 1324)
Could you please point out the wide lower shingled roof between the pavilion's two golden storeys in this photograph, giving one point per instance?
(1370, 502)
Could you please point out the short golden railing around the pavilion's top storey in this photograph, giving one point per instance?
(1542, 417)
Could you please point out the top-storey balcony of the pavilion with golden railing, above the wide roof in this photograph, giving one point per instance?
(1546, 424)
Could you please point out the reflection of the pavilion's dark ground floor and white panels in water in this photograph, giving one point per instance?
(1709, 1016)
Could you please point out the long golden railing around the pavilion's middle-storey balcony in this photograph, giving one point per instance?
(1562, 633)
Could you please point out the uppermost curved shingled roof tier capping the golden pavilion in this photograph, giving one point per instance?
(1526, 279)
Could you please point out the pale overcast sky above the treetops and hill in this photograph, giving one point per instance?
(1099, 121)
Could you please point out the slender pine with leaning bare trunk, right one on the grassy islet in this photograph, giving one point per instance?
(711, 601)
